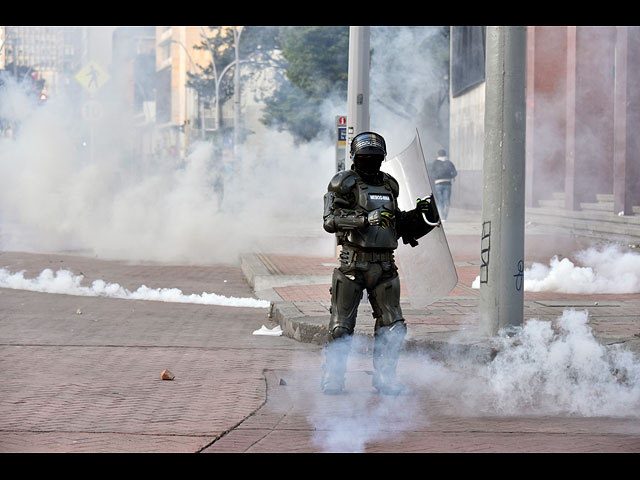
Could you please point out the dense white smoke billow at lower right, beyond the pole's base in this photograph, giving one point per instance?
(563, 371)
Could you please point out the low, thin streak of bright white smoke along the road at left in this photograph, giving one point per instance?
(65, 282)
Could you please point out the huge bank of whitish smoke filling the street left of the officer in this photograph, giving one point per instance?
(56, 195)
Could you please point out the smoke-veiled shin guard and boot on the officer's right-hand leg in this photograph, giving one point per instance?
(388, 343)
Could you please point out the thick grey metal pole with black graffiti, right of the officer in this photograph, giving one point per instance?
(502, 245)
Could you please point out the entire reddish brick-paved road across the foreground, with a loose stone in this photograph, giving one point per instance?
(83, 374)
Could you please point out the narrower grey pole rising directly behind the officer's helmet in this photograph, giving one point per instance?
(357, 86)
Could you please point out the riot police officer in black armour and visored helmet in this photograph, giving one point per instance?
(361, 209)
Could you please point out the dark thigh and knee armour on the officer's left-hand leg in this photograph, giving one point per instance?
(345, 298)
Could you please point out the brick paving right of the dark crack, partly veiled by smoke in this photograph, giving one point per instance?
(297, 419)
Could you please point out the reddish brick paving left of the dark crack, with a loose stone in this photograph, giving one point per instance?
(82, 374)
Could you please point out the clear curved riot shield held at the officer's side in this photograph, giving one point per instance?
(428, 269)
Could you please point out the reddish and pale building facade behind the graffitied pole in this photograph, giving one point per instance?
(583, 107)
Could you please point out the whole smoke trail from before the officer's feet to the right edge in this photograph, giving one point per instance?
(542, 368)
